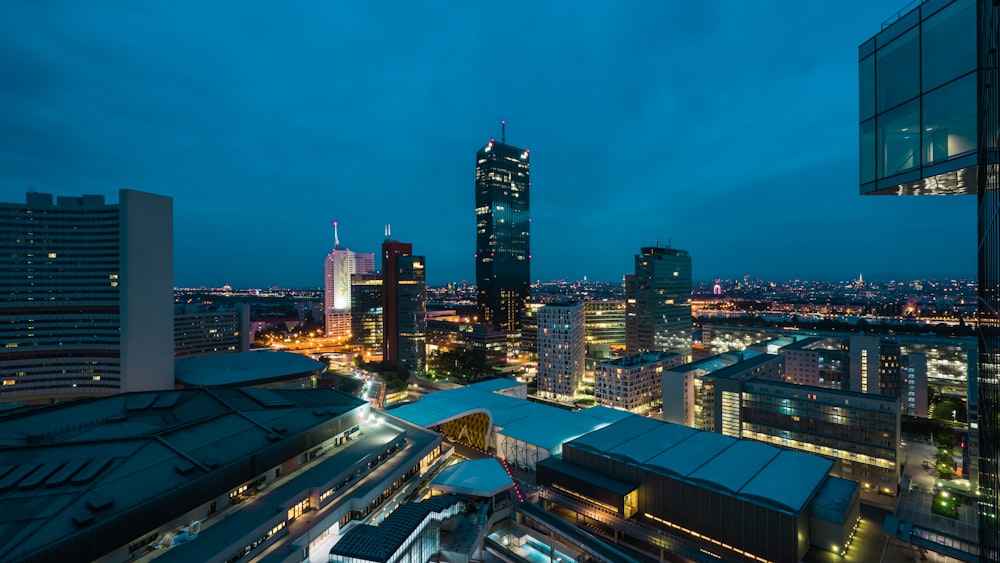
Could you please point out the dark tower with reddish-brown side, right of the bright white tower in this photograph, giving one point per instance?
(404, 306)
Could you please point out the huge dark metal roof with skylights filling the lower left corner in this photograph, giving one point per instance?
(81, 463)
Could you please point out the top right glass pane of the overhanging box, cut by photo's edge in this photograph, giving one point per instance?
(949, 43)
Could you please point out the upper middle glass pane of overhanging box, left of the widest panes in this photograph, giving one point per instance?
(897, 70)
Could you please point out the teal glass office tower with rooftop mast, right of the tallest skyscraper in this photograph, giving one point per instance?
(658, 302)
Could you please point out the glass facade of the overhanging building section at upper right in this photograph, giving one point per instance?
(917, 100)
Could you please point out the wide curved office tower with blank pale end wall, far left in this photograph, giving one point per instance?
(87, 295)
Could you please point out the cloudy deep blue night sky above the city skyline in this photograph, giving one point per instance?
(727, 128)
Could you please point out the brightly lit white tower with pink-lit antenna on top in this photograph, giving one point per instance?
(338, 268)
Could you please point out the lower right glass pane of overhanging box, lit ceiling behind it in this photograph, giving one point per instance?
(950, 120)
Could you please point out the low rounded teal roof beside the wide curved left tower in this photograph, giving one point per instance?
(244, 368)
